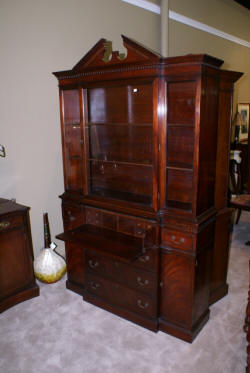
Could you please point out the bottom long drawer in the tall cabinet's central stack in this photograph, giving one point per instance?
(120, 295)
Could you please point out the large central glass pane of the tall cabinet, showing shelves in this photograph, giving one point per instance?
(120, 147)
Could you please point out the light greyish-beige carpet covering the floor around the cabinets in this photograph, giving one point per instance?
(58, 332)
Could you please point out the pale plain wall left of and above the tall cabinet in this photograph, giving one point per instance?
(36, 38)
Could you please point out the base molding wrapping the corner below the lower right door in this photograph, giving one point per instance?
(182, 333)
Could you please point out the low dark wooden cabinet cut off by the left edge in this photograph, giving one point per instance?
(17, 280)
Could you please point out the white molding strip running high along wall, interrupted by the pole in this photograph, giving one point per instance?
(188, 21)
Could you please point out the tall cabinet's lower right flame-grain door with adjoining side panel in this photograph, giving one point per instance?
(185, 287)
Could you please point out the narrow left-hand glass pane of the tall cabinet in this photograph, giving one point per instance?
(72, 139)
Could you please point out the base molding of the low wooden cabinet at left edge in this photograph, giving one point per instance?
(21, 296)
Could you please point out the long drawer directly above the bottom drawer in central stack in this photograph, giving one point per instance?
(126, 274)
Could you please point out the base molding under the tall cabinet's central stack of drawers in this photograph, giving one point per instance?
(151, 324)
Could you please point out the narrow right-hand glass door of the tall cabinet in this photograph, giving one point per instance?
(180, 144)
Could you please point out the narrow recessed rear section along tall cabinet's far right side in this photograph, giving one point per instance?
(220, 253)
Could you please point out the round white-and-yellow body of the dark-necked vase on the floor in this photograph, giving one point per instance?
(49, 267)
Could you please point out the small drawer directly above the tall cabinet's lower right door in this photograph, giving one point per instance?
(176, 239)
